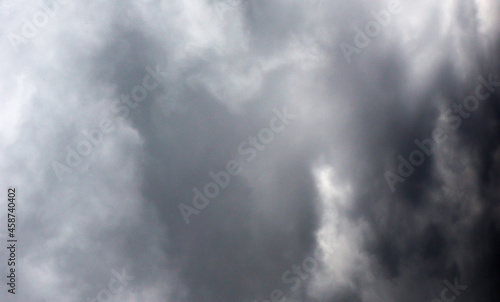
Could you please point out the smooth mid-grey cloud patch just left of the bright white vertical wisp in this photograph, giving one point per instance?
(246, 231)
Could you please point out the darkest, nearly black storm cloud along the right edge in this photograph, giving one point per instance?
(425, 229)
